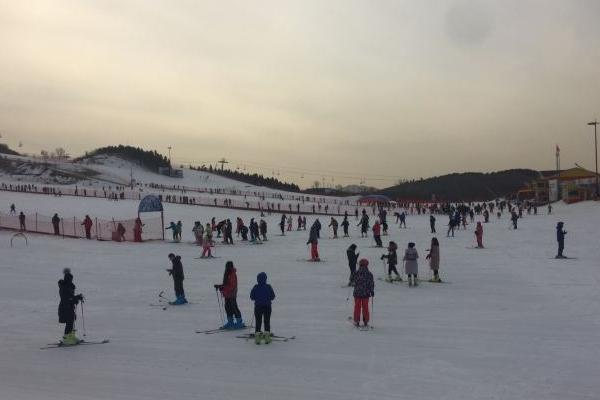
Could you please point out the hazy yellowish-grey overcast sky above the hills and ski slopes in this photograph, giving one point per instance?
(347, 89)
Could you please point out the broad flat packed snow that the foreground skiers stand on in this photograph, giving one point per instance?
(510, 322)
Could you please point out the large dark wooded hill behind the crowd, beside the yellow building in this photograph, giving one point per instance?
(469, 186)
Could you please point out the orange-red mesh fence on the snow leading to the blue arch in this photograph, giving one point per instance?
(102, 229)
